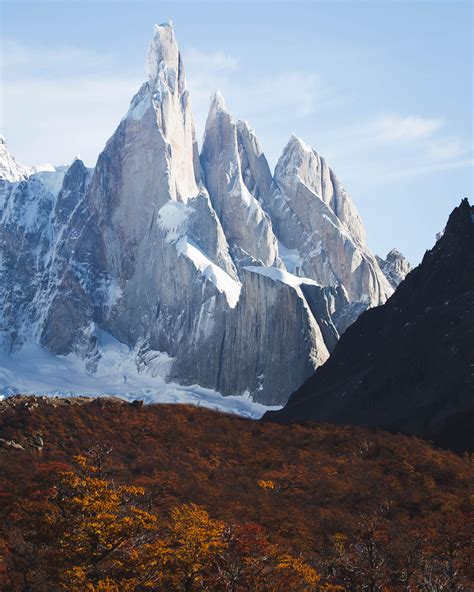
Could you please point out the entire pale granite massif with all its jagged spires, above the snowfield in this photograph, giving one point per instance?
(188, 260)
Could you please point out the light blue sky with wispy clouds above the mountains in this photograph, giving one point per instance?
(383, 89)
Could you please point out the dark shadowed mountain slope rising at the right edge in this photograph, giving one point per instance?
(407, 365)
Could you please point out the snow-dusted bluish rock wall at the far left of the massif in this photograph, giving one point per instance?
(36, 238)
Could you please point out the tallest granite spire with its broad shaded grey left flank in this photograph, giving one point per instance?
(152, 157)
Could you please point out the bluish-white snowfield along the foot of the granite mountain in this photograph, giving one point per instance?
(33, 370)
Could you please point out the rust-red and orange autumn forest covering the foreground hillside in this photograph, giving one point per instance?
(105, 495)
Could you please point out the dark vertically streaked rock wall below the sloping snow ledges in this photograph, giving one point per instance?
(238, 345)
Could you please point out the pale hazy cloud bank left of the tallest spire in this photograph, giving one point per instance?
(58, 101)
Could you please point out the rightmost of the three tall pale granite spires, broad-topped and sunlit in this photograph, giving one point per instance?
(320, 232)
